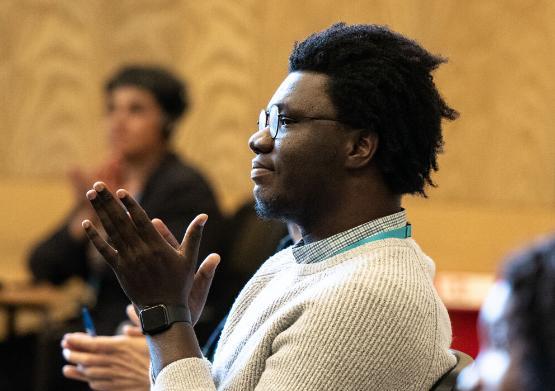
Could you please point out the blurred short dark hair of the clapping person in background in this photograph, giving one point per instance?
(169, 91)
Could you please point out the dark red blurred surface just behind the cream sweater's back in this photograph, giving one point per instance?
(465, 335)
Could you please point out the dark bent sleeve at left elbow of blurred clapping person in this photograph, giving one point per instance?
(59, 257)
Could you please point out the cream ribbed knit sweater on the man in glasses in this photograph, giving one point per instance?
(365, 319)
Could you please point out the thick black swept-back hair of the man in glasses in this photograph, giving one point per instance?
(381, 81)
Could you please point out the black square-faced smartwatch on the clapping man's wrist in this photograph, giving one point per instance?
(160, 317)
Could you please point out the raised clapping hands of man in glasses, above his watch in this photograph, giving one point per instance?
(148, 266)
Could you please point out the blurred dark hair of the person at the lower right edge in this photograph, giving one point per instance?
(531, 314)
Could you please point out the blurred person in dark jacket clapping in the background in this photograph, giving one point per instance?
(143, 107)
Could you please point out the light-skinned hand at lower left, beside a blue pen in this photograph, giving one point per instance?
(108, 363)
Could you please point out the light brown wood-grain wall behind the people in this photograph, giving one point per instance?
(497, 178)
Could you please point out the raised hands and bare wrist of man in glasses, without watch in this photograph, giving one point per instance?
(152, 269)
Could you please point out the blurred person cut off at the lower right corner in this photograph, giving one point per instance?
(517, 326)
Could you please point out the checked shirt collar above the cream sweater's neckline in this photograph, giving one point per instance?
(322, 249)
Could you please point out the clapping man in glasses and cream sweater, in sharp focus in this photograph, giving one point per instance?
(355, 125)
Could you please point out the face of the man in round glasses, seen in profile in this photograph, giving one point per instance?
(298, 174)
